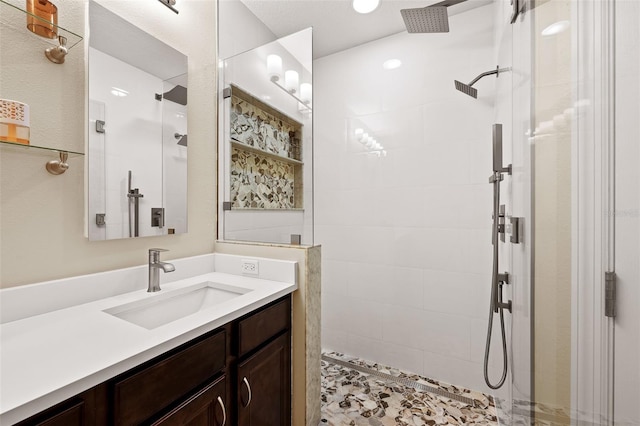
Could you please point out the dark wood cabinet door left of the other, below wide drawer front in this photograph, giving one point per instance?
(205, 408)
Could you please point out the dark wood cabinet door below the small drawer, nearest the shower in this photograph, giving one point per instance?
(264, 385)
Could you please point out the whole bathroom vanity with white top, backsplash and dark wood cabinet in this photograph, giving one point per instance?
(213, 348)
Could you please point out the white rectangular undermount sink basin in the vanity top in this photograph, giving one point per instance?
(164, 308)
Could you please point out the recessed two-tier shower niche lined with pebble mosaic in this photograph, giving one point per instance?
(266, 155)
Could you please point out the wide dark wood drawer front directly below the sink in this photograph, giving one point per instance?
(149, 391)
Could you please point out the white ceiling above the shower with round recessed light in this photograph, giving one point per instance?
(336, 26)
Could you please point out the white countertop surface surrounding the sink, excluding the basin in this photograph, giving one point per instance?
(50, 357)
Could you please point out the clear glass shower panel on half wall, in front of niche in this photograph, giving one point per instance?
(266, 143)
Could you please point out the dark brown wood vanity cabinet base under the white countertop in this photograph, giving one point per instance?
(237, 375)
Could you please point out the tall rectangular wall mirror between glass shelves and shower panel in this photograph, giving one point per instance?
(137, 141)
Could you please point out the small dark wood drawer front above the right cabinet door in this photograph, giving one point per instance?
(260, 327)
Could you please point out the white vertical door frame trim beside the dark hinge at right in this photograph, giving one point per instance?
(593, 201)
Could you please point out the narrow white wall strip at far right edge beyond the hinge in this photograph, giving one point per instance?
(627, 216)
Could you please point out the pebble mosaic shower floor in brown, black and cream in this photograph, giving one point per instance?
(351, 397)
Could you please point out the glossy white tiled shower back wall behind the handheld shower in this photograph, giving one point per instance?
(406, 237)
